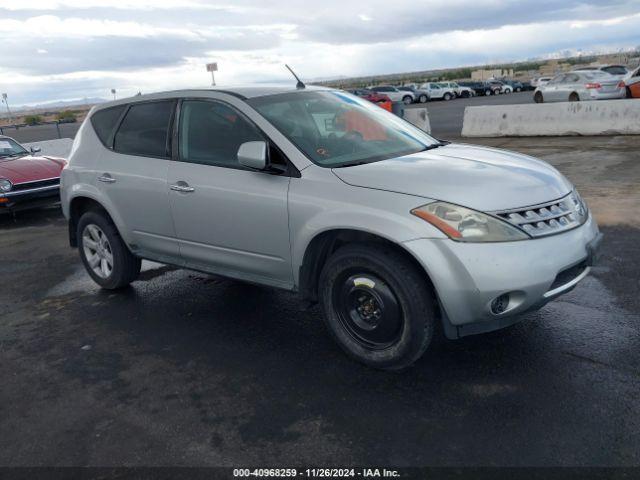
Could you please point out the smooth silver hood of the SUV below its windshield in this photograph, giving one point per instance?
(481, 178)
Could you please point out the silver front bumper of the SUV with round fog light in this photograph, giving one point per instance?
(469, 276)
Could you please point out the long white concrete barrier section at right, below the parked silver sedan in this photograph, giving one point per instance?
(601, 117)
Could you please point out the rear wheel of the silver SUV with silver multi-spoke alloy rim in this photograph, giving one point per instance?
(95, 230)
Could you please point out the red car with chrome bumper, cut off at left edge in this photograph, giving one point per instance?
(27, 180)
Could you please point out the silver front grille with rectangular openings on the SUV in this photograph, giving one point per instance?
(547, 218)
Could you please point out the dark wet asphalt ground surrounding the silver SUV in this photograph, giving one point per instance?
(188, 369)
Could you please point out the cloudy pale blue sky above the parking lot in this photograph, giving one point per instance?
(68, 49)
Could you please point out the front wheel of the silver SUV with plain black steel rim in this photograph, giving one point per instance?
(402, 301)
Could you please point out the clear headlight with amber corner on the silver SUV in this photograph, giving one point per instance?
(466, 225)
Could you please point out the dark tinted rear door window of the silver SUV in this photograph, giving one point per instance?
(145, 130)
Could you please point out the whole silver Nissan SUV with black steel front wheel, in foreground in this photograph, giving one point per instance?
(319, 192)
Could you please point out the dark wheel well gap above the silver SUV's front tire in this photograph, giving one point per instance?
(324, 244)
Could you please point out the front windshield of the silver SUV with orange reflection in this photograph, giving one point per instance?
(335, 129)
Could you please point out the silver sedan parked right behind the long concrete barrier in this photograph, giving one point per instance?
(580, 86)
